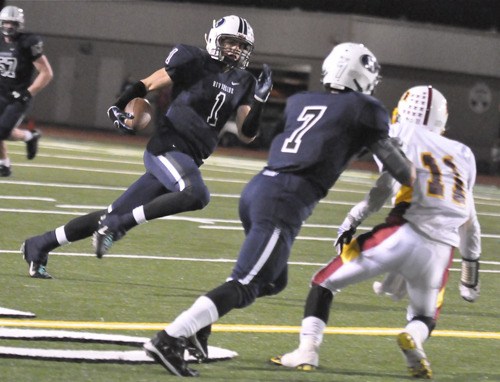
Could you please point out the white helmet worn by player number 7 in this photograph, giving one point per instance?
(353, 66)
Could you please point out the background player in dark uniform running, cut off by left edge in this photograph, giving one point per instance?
(21, 56)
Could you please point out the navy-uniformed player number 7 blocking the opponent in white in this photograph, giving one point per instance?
(323, 132)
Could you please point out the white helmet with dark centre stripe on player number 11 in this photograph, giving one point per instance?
(423, 105)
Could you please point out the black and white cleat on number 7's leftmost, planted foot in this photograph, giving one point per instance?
(169, 352)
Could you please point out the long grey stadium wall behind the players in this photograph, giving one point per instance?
(95, 45)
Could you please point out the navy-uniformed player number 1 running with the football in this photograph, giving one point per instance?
(207, 88)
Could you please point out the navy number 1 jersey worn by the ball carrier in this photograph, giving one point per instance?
(204, 97)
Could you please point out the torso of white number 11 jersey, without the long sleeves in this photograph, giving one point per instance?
(441, 199)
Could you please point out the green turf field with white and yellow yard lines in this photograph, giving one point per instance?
(161, 267)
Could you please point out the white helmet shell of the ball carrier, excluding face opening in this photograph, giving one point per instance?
(233, 27)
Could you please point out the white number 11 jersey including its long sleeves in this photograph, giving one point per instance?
(441, 203)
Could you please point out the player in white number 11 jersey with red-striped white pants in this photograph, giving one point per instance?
(416, 241)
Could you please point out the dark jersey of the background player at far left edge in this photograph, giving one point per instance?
(16, 61)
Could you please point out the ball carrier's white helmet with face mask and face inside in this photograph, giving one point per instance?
(231, 41)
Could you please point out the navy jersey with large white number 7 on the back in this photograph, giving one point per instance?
(323, 132)
